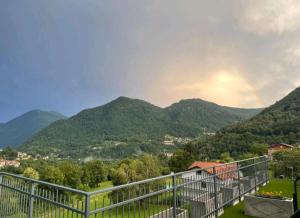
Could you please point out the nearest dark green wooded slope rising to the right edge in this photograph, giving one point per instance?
(278, 123)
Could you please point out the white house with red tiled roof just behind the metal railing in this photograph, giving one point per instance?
(200, 186)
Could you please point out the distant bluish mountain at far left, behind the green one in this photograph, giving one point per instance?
(20, 129)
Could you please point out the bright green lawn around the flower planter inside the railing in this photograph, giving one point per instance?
(279, 185)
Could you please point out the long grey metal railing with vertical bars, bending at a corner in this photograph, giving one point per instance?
(194, 193)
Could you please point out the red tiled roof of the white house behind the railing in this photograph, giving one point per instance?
(223, 171)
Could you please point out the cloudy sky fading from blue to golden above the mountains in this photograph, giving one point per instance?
(72, 54)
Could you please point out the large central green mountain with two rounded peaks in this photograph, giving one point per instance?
(129, 126)
